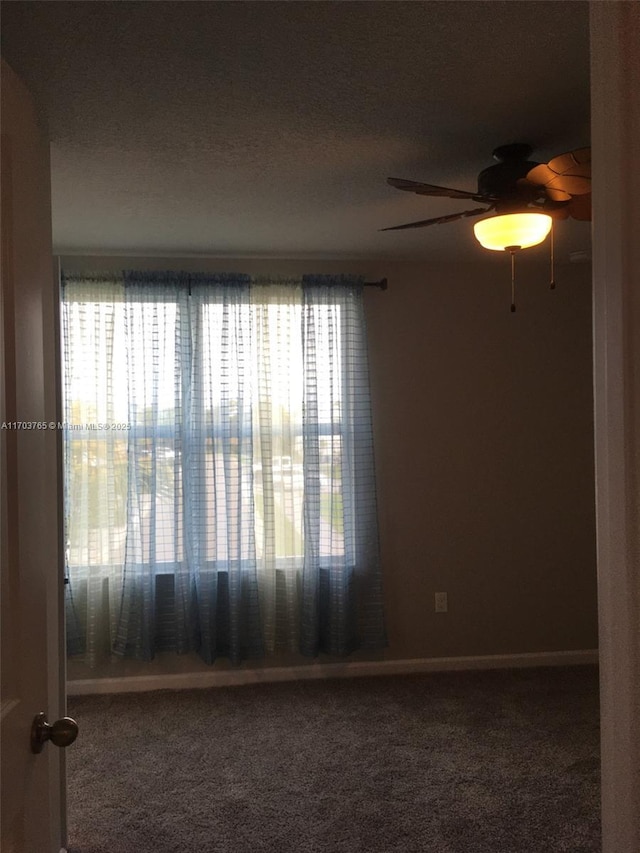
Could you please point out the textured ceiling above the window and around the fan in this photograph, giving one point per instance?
(269, 128)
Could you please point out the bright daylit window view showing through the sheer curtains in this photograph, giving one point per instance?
(137, 415)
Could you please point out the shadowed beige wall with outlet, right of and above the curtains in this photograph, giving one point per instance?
(484, 451)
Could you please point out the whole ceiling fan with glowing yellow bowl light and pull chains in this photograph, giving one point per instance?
(522, 196)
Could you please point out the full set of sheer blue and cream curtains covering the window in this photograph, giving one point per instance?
(219, 481)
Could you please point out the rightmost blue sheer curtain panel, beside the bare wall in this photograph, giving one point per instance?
(342, 594)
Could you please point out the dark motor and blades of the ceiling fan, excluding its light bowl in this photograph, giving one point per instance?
(560, 188)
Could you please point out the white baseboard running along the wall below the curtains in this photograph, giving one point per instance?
(226, 678)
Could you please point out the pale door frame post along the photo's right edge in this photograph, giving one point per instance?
(615, 116)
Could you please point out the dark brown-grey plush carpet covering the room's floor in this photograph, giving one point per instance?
(481, 762)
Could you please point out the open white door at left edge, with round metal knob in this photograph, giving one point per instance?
(30, 557)
